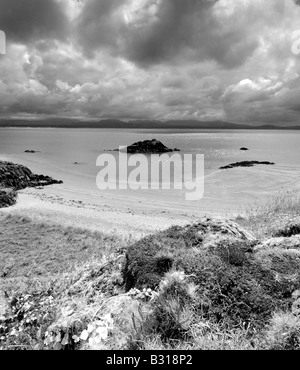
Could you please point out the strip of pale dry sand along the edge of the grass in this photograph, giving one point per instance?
(43, 206)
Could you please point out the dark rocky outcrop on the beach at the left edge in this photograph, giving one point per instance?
(15, 177)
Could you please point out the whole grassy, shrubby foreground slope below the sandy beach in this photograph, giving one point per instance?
(210, 285)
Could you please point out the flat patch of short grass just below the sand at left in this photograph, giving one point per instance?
(29, 249)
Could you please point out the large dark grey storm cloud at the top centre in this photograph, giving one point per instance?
(175, 31)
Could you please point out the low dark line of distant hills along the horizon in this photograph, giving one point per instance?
(138, 124)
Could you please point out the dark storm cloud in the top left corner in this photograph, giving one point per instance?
(30, 20)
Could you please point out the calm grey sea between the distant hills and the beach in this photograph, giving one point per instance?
(71, 155)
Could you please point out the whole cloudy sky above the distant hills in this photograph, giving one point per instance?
(233, 60)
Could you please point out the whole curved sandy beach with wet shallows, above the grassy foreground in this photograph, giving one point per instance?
(80, 204)
